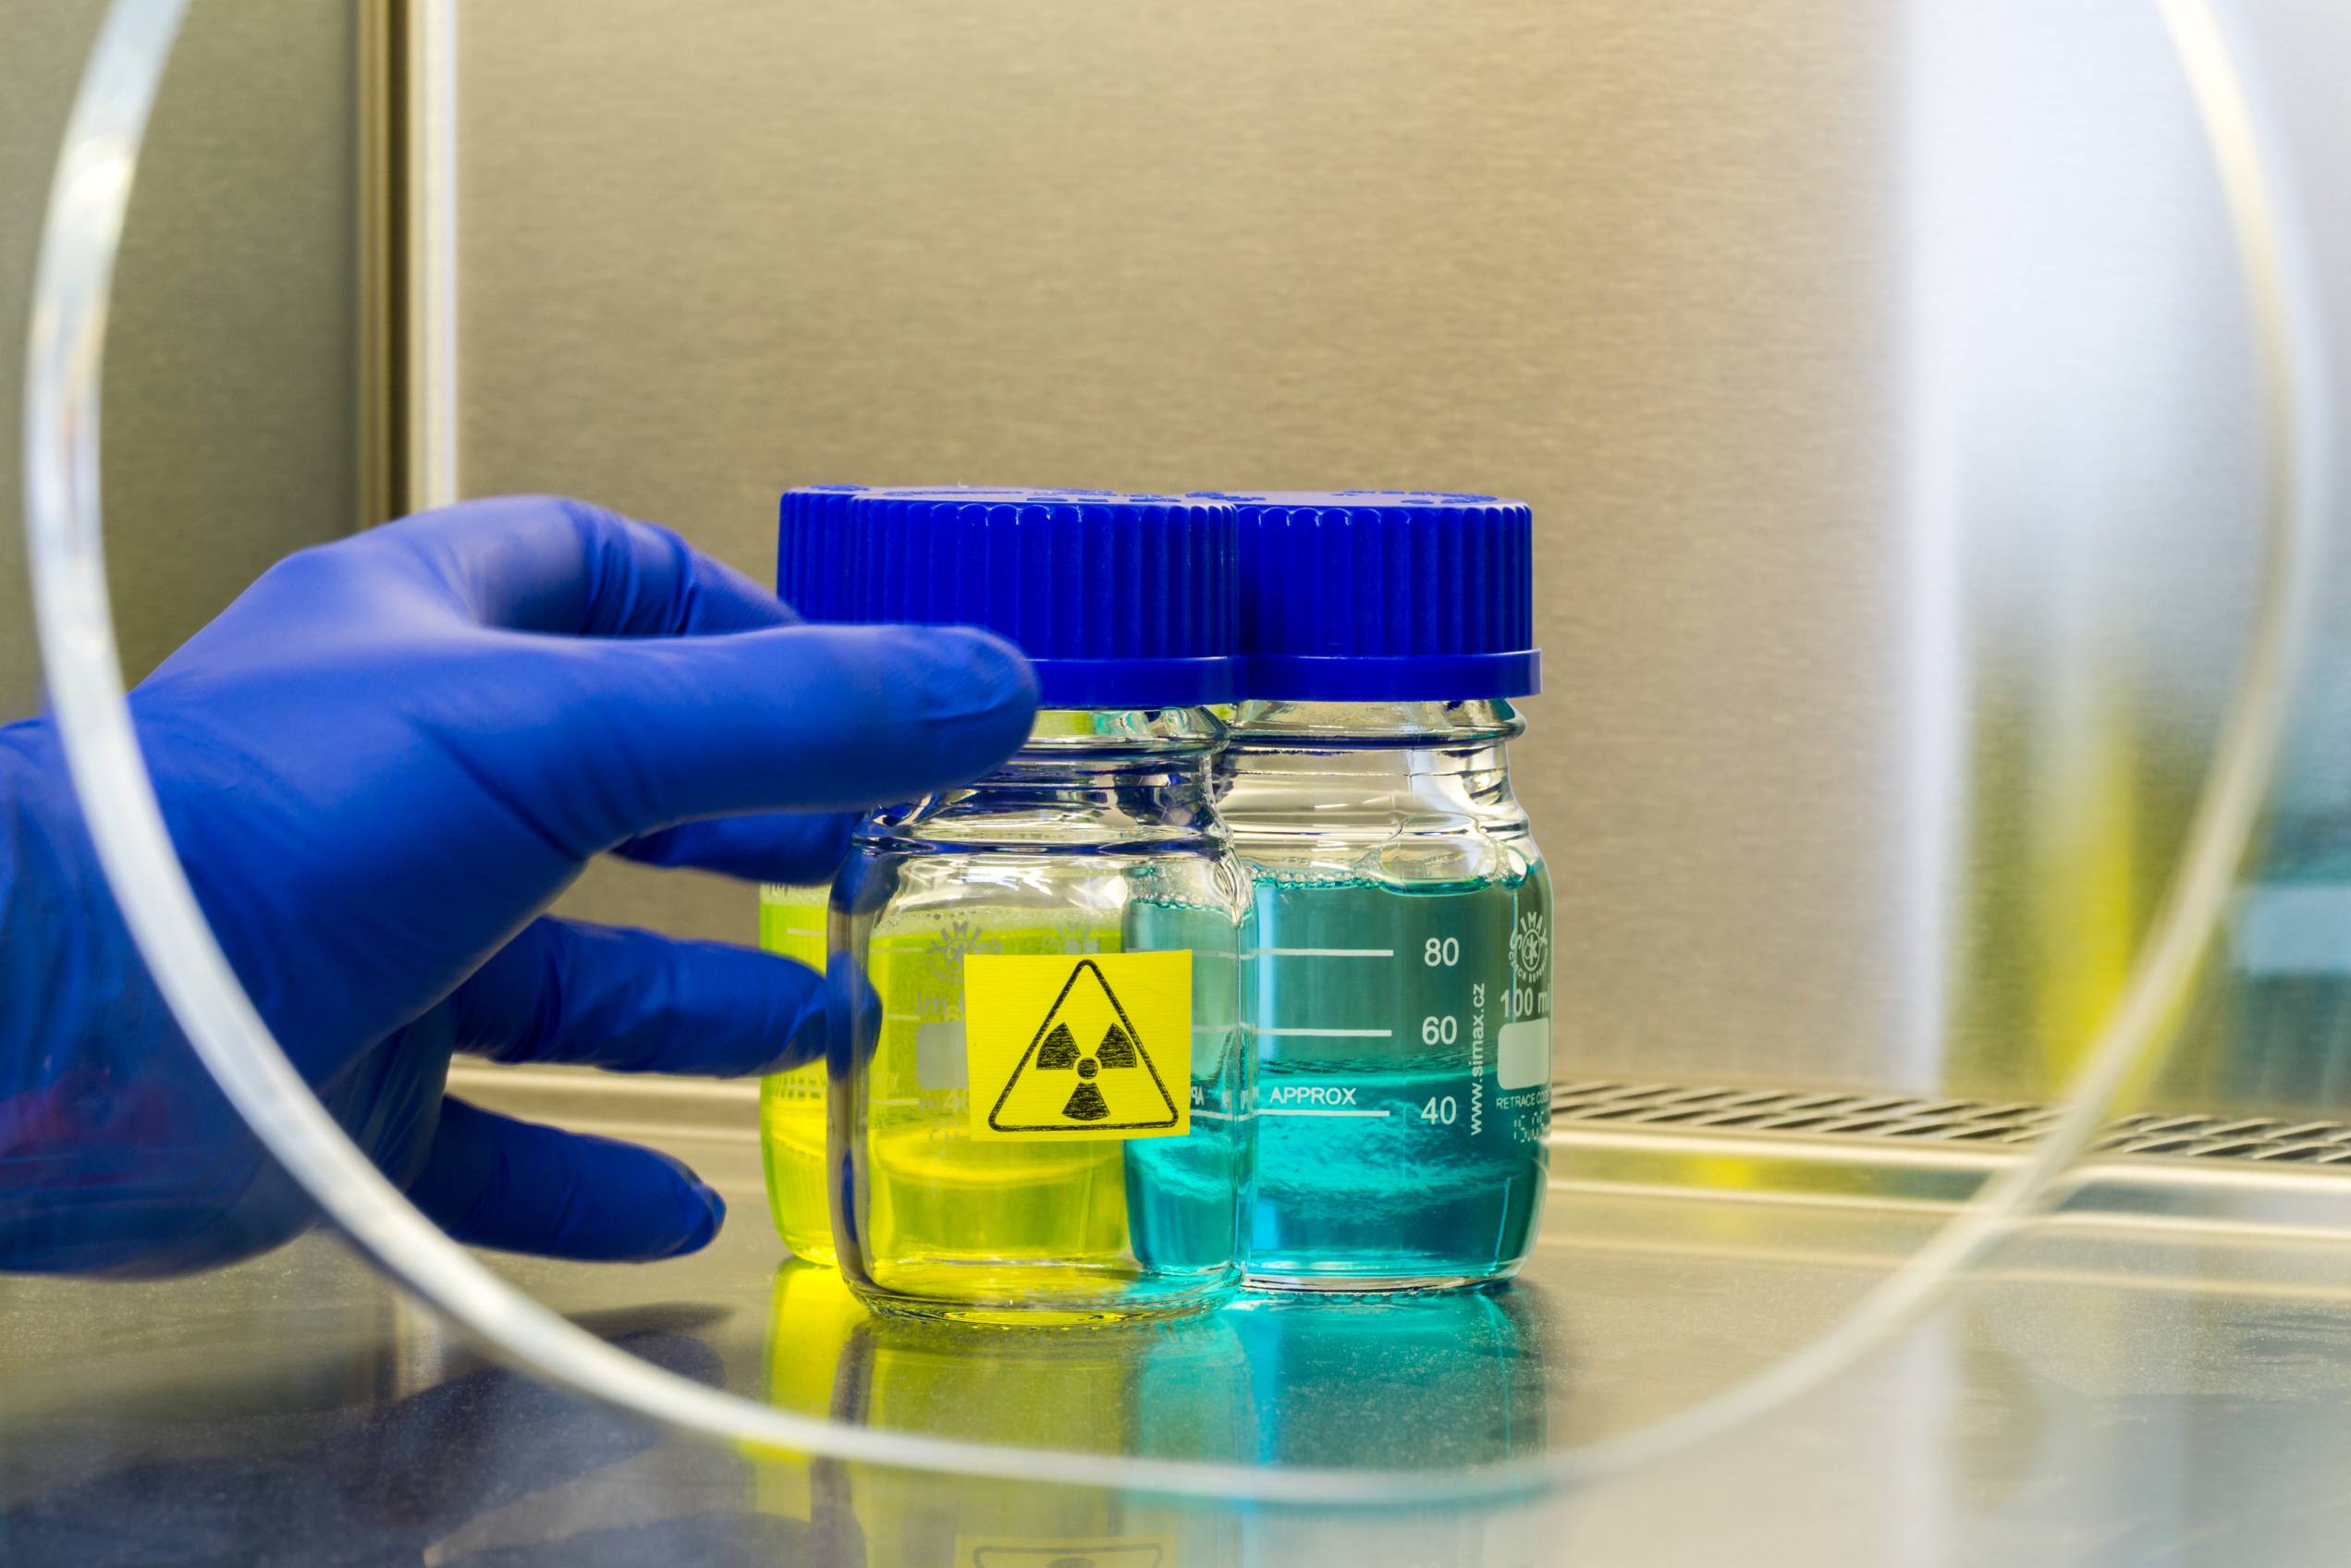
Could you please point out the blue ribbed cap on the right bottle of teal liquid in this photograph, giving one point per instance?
(1367, 596)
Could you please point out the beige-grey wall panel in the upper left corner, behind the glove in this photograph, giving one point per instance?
(232, 377)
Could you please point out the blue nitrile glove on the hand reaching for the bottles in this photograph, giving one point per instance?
(380, 765)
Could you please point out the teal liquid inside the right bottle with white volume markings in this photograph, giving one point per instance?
(1398, 1144)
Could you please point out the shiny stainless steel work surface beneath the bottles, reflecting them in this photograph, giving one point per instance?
(2112, 1393)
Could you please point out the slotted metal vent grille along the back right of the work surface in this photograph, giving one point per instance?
(1903, 1118)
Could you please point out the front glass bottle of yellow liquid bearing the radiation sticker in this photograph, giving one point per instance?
(1040, 1068)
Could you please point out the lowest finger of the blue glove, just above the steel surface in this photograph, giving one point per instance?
(525, 1188)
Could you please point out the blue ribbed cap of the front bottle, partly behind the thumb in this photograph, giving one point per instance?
(1118, 601)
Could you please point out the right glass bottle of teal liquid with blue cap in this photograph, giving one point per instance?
(1400, 979)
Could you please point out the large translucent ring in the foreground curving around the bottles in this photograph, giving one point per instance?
(1203, 1454)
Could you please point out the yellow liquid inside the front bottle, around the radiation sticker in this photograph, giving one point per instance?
(944, 1207)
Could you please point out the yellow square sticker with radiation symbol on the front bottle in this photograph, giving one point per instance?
(1092, 1045)
